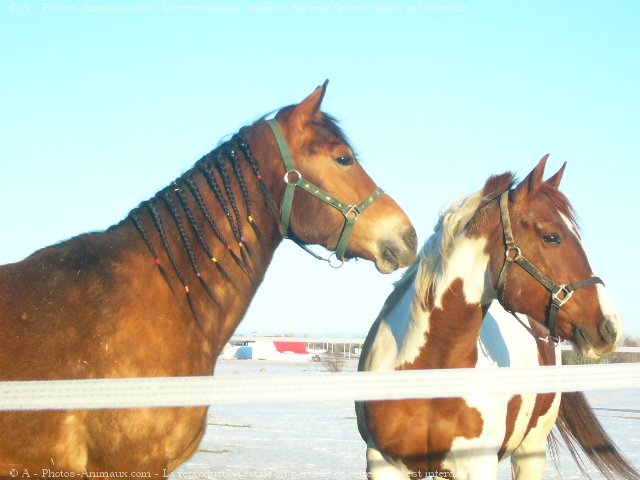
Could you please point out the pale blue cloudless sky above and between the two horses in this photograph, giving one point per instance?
(105, 102)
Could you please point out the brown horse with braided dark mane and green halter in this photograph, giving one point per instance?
(160, 293)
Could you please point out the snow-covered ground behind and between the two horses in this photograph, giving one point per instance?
(321, 441)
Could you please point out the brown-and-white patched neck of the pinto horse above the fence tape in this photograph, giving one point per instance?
(450, 309)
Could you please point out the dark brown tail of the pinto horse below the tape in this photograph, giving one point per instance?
(582, 431)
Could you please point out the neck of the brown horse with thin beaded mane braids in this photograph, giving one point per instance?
(211, 234)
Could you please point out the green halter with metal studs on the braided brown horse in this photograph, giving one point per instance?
(351, 212)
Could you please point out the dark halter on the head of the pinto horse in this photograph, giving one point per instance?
(560, 294)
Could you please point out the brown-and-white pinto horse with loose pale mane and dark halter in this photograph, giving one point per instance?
(501, 249)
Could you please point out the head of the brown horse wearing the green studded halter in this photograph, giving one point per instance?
(337, 191)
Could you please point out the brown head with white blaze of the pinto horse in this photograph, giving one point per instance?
(540, 268)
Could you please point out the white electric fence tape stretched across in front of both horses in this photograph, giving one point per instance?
(319, 387)
